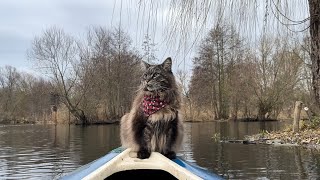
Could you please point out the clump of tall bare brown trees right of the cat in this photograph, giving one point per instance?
(233, 80)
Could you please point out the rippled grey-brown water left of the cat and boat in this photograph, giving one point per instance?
(46, 152)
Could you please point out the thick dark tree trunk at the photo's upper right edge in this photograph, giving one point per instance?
(314, 8)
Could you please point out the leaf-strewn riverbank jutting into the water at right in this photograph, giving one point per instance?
(308, 136)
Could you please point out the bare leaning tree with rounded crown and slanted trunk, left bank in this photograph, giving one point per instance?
(57, 54)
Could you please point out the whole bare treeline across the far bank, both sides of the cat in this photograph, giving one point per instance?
(93, 79)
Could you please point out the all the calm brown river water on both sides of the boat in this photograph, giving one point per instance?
(46, 152)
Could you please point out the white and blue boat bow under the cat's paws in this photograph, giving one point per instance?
(123, 159)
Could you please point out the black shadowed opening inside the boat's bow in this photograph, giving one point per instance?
(142, 174)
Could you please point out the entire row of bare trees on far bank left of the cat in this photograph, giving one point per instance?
(93, 79)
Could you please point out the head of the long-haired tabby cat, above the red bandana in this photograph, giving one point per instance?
(158, 78)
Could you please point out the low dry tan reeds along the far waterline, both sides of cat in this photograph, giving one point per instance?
(62, 116)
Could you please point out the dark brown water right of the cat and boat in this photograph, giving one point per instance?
(238, 161)
